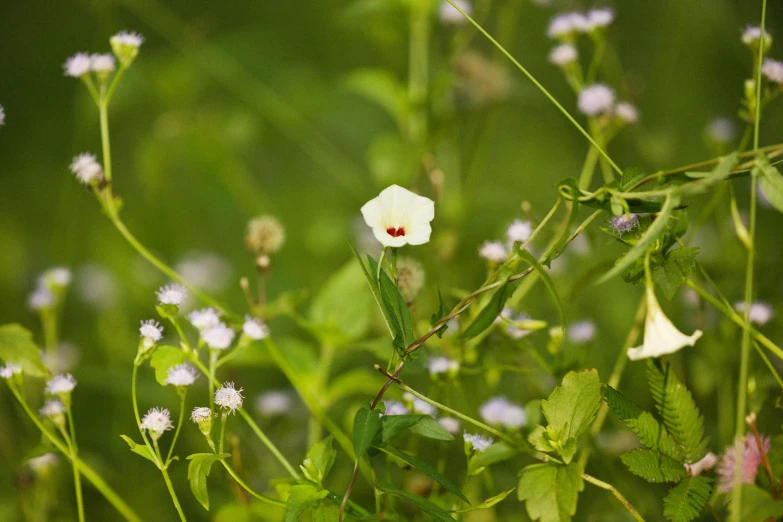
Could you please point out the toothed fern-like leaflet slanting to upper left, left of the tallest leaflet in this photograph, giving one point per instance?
(642, 424)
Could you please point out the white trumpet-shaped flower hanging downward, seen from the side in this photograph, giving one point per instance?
(660, 335)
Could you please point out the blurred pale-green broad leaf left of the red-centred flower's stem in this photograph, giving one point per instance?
(341, 309)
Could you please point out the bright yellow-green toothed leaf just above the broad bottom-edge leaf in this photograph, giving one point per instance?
(572, 406)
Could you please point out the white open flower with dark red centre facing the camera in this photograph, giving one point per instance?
(399, 217)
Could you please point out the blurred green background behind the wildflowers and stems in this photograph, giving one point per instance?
(243, 108)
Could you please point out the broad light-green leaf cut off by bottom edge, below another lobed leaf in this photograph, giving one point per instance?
(550, 491)
